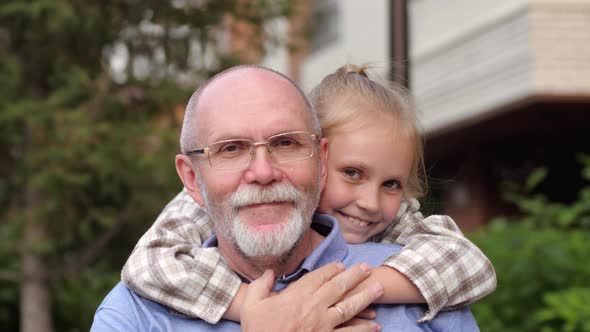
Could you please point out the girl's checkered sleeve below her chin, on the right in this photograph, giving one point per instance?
(449, 270)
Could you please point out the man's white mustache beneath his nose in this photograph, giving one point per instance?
(279, 192)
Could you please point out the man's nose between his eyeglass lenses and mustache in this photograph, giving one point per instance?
(262, 169)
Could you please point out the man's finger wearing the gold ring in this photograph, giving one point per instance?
(354, 304)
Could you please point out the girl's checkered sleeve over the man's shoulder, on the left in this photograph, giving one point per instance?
(169, 266)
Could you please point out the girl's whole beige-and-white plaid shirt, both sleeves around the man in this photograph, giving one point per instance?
(169, 266)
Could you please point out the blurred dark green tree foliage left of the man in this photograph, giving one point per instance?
(91, 98)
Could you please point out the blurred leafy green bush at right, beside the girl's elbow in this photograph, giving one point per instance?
(542, 260)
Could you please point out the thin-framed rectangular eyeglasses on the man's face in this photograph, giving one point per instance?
(238, 153)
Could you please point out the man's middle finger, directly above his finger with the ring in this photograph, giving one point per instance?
(334, 290)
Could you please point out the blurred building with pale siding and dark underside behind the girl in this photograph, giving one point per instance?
(502, 87)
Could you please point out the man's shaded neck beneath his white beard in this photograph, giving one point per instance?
(253, 267)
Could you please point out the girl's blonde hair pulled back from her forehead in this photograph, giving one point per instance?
(339, 100)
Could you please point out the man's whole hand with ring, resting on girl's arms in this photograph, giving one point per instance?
(313, 303)
